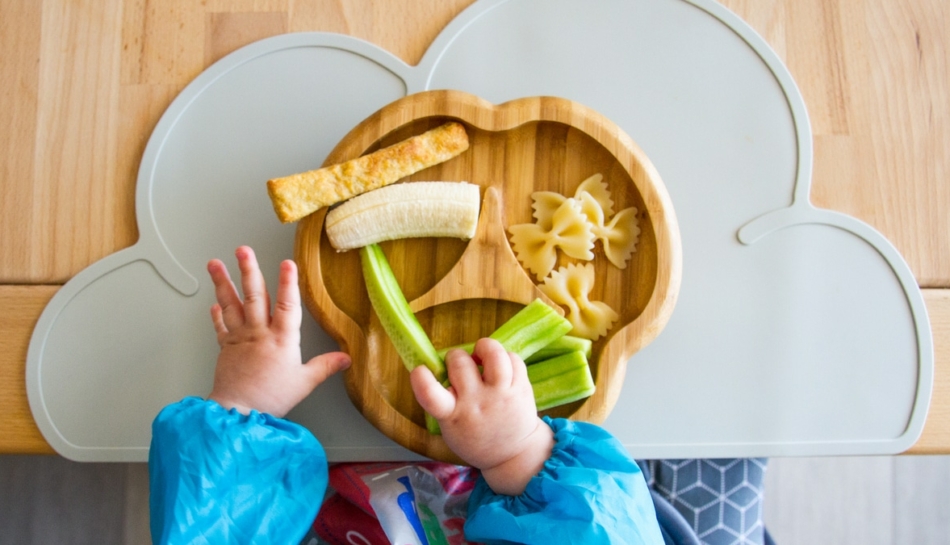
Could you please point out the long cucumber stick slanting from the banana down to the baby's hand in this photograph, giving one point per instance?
(400, 324)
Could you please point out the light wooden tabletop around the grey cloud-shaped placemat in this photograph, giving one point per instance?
(84, 83)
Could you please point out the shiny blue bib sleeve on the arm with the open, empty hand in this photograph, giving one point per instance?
(217, 476)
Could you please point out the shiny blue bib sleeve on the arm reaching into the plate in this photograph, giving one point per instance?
(589, 491)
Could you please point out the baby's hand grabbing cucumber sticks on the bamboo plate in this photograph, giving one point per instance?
(490, 419)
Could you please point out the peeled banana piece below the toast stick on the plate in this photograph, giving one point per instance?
(405, 210)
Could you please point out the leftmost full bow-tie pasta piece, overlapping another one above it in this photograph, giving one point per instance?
(536, 245)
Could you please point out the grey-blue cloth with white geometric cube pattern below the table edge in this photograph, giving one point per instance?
(720, 498)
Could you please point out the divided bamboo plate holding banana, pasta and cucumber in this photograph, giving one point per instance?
(462, 290)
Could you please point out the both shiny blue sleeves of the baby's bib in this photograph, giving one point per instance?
(218, 476)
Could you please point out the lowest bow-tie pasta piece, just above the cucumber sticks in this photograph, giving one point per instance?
(570, 286)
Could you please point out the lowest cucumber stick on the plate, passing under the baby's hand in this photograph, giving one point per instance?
(556, 381)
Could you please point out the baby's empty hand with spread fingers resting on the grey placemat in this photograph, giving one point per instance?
(259, 366)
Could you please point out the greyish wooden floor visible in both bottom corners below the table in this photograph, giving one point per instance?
(868, 501)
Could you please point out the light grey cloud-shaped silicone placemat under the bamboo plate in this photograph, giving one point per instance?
(802, 332)
